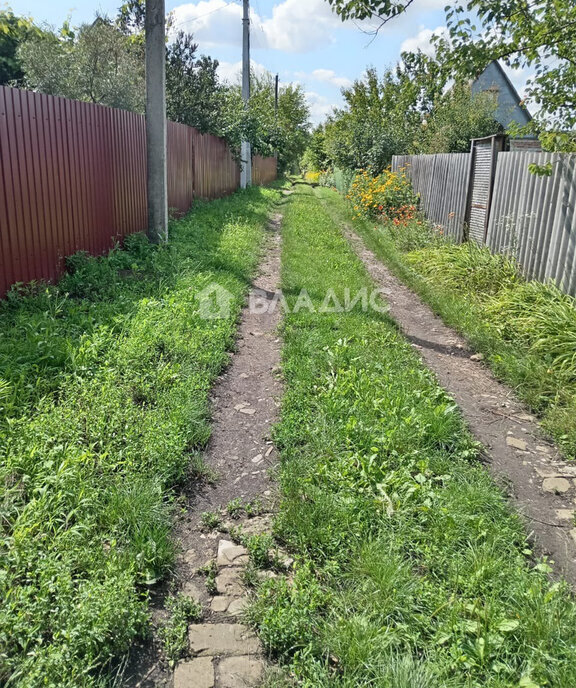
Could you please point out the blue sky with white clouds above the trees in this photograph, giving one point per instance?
(301, 40)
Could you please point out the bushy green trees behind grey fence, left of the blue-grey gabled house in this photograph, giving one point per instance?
(404, 111)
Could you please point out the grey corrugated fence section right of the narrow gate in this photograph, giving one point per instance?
(534, 218)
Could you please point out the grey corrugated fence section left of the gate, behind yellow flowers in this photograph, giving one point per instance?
(441, 180)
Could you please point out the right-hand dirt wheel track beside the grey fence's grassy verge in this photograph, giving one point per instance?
(541, 485)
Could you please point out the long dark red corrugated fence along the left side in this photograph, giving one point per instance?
(73, 178)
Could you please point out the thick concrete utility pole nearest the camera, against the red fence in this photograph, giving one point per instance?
(156, 121)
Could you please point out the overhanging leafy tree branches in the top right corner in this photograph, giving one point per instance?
(536, 34)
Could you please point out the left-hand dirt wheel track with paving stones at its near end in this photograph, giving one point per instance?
(223, 652)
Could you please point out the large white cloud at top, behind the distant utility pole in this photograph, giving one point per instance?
(295, 26)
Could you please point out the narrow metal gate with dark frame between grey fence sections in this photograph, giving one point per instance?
(483, 155)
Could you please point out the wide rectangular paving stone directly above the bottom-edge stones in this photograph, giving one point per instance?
(222, 639)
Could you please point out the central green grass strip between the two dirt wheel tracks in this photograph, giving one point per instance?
(411, 569)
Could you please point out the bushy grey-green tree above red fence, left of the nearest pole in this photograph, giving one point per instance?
(97, 64)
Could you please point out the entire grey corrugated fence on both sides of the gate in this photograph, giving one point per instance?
(529, 217)
